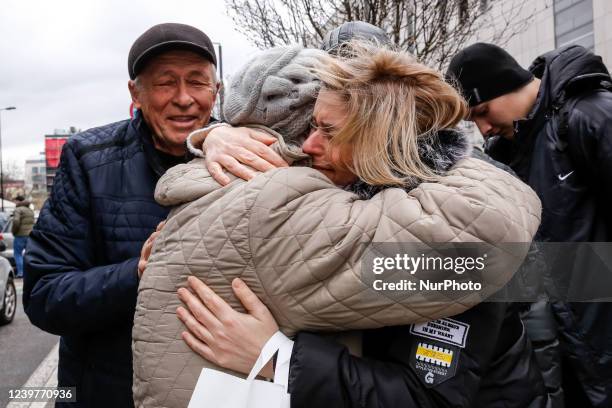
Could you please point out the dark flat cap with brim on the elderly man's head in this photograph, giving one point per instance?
(165, 37)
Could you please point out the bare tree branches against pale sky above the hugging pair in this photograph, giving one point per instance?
(433, 30)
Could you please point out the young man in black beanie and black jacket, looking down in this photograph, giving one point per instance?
(553, 125)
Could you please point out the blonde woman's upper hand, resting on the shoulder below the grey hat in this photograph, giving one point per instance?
(234, 149)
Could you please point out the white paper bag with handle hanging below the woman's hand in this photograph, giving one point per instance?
(216, 389)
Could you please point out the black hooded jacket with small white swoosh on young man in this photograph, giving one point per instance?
(563, 150)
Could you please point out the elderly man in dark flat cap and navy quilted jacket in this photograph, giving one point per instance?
(89, 248)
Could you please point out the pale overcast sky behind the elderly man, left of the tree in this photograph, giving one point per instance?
(64, 62)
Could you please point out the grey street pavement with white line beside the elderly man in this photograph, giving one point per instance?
(23, 347)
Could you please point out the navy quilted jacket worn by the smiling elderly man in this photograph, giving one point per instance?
(82, 257)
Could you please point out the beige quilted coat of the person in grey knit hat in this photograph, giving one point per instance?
(297, 241)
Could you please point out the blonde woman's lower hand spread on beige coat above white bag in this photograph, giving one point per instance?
(222, 335)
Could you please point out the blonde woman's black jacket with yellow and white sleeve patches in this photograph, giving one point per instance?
(494, 368)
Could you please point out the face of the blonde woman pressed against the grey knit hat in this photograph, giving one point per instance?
(329, 116)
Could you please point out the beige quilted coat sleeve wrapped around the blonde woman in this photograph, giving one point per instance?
(309, 243)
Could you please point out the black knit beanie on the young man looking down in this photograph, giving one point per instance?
(486, 71)
